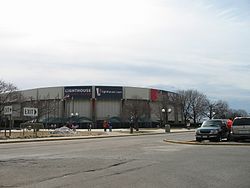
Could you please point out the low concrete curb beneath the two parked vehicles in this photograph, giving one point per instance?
(206, 143)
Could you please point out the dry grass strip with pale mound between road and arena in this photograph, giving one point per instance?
(65, 133)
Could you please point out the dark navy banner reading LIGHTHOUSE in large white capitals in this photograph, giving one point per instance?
(83, 92)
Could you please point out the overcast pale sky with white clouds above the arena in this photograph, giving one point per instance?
(165, 44)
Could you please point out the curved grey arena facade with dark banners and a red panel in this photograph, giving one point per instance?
(94, 104)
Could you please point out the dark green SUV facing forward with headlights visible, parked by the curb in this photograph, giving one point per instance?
(213, 129)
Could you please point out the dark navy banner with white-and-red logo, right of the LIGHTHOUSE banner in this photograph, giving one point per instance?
(107, 92)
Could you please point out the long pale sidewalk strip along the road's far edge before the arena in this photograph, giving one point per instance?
(114, 133)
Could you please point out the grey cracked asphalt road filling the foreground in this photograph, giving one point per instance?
(127, 162)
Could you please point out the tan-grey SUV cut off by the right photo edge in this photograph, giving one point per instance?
(240, 129)
